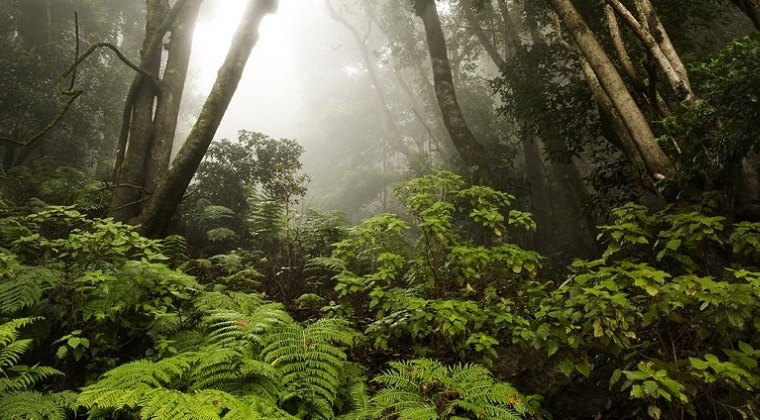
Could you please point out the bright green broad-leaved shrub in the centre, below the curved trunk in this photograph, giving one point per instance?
(425, 283)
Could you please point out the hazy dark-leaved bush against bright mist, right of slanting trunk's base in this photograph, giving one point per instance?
(242, 192)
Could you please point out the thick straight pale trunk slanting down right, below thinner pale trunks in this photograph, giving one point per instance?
(657, 163)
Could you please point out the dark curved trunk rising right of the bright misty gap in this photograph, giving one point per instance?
(464, 140)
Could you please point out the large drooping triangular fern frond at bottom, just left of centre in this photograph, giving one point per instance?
(310, 361)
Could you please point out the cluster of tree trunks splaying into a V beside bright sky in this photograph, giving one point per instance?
(148, 140)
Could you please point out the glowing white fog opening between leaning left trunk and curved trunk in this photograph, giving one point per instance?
(307, 80)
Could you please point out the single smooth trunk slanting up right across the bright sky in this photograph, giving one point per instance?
(171, 188)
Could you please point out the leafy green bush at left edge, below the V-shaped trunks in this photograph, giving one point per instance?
(91, 305)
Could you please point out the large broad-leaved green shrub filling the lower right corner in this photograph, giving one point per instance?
(657, 309)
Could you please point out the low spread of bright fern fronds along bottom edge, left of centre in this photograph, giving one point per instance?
(186, 386)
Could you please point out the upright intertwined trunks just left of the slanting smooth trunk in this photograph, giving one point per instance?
(152, 105)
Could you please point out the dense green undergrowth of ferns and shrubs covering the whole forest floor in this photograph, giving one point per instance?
(432, 313)
